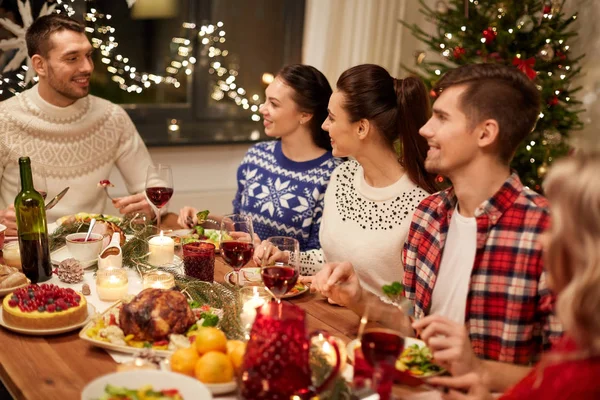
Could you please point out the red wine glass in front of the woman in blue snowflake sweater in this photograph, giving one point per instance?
(237, 246)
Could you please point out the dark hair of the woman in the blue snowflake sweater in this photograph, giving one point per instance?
(311, 93)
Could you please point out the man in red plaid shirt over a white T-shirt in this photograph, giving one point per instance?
(472, 257)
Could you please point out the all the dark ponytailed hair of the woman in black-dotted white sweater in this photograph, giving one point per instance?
(398, 108)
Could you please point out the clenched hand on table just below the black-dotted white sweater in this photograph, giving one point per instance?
(338, 282)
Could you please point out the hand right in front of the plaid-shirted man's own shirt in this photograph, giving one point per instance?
(449, 343)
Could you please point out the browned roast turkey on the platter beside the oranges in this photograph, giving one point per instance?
(156, 313)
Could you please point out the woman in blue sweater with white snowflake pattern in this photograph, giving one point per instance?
(281, 183)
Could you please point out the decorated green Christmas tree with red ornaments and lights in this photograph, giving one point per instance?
(533, 36)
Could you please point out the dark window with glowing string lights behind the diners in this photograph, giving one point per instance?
(162, 40)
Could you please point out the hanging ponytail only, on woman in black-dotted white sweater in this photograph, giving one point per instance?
(414, 110)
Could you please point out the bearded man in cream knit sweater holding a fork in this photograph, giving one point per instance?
(74, 138)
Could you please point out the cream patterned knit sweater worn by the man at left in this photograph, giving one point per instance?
(75, 146)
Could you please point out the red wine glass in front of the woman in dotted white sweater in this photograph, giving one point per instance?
(280, 265)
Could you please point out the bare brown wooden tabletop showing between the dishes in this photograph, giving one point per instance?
(59, 367)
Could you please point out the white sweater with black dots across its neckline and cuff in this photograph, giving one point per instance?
(365, 225)
